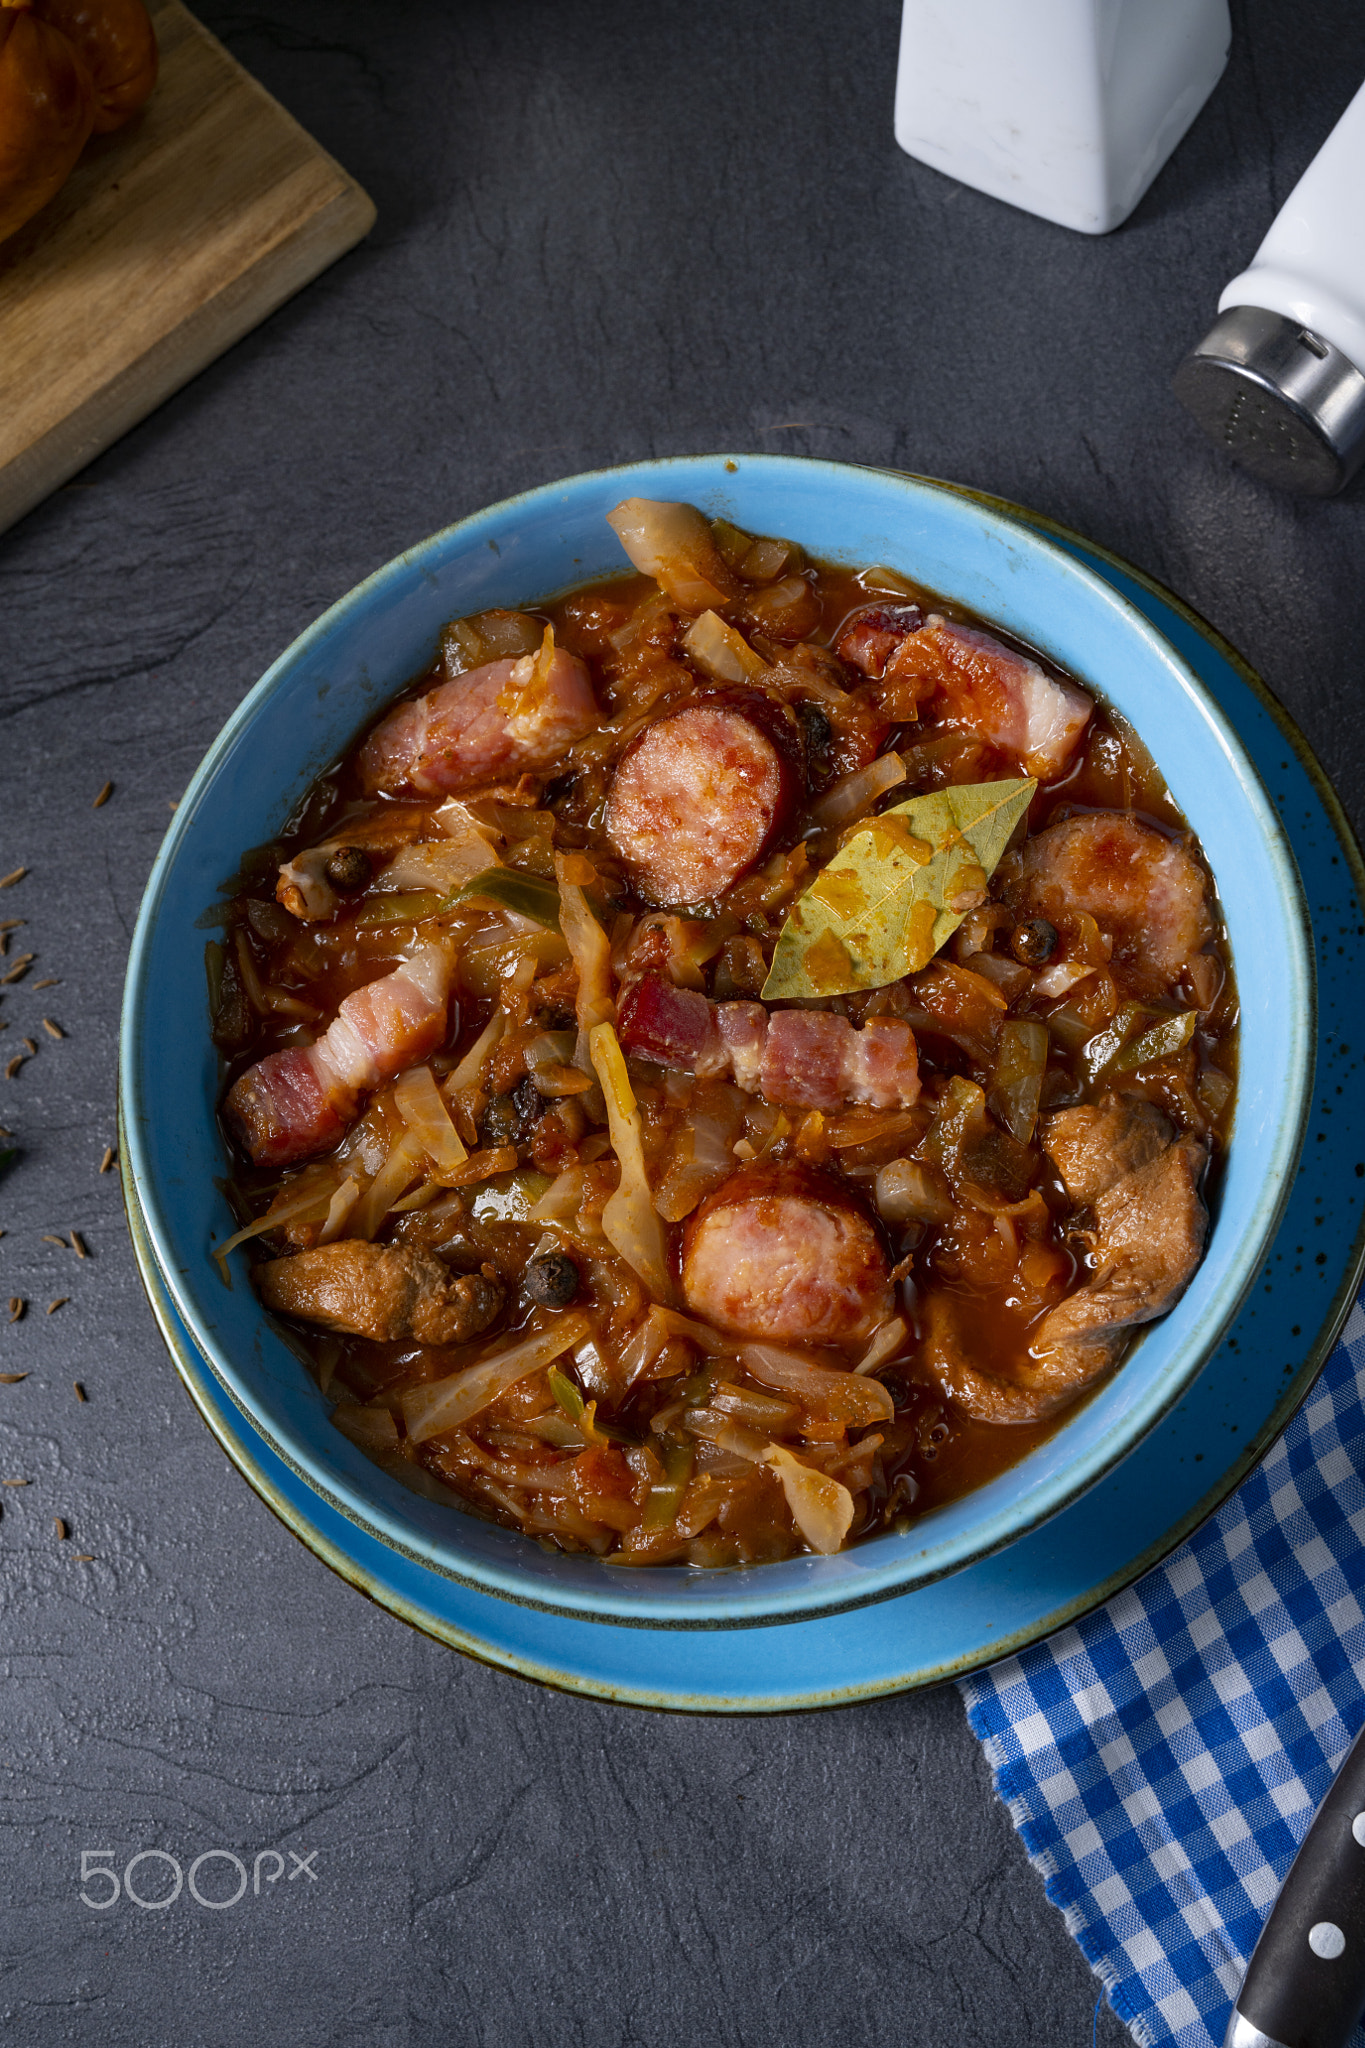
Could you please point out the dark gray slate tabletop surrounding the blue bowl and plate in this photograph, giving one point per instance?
(603, 232)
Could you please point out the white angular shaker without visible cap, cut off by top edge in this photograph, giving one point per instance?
(1063, 108)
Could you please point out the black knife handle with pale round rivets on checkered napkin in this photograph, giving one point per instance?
(1305, 1986)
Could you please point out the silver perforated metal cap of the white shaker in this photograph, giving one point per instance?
(1278, 398)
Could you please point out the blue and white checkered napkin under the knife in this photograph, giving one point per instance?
(1165, 1756)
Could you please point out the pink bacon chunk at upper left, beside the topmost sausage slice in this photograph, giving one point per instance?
(502, 720)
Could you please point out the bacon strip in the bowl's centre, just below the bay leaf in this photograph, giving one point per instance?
(807, 1060)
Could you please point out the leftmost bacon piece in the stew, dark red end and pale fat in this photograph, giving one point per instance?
(302, 1101)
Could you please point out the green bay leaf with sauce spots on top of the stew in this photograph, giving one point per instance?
(897, 890)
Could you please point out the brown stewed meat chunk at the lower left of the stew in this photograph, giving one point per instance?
(388, 1293)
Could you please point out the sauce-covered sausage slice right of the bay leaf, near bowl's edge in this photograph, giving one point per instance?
(1143, 890)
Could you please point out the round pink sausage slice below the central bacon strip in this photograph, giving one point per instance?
(785, 1254)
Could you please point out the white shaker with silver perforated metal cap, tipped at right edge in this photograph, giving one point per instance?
(1280, 378)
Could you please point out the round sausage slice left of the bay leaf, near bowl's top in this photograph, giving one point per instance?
(699, 798)
